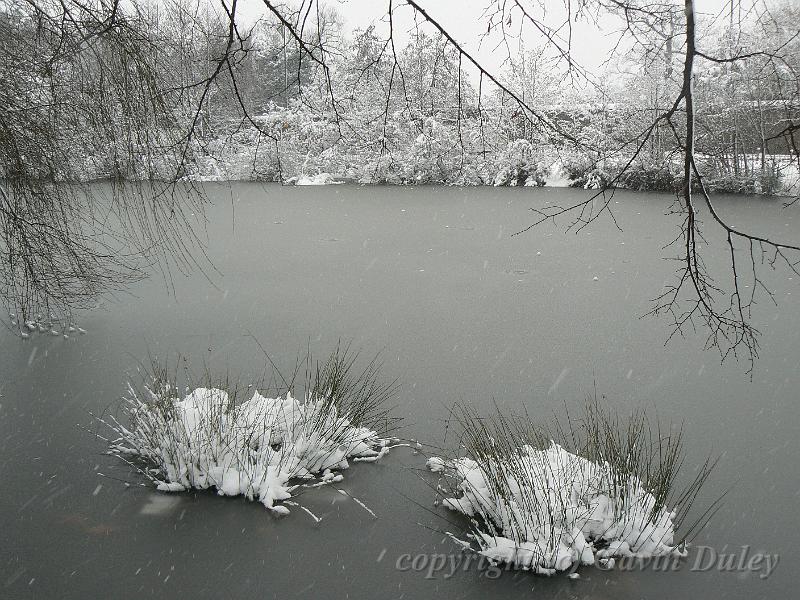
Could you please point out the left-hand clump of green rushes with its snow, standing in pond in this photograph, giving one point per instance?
(232, 438)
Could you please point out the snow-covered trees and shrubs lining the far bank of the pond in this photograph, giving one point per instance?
(378, 112)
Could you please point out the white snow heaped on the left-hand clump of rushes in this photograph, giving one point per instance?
(263, 448)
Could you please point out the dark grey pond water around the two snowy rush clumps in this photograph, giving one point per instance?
(461, 311)
